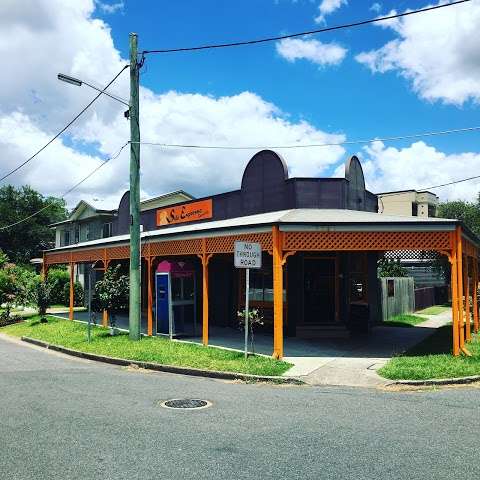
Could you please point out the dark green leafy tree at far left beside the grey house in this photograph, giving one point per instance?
(27, 240)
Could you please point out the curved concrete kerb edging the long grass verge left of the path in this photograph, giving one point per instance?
(197, 372)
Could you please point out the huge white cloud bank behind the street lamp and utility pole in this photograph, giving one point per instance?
(34, 106)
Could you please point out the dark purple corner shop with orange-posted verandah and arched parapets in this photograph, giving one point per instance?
(320, 239)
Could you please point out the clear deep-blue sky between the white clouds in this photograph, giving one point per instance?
(346, 99)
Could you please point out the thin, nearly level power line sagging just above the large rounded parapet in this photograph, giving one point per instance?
(313, 145)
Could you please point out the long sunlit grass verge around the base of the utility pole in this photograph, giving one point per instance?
(148, 349)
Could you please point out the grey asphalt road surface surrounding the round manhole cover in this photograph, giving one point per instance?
(74, 419)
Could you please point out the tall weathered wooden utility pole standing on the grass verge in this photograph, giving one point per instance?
(134, 317)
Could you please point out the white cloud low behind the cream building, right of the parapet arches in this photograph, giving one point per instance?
(420, 166)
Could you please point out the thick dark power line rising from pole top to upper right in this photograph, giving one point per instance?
(300, 34)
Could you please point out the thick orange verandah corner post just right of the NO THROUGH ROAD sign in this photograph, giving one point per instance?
(277, 293)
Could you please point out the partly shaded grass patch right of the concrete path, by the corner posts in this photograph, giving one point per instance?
(432, 358)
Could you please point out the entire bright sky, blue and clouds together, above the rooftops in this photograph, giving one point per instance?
(421, 73)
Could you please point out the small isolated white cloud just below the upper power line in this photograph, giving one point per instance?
(317, 52)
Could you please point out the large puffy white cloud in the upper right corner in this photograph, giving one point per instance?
(436, 51)
